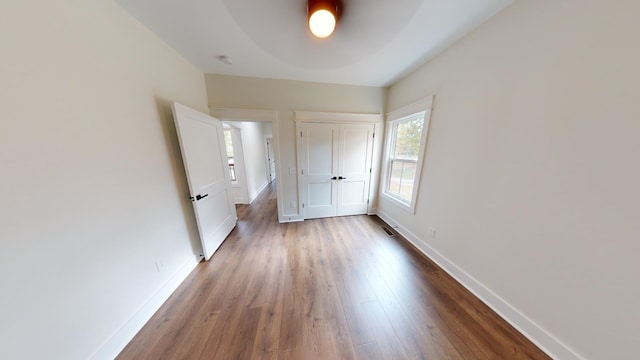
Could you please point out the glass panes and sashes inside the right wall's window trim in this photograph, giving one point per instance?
(404, 157)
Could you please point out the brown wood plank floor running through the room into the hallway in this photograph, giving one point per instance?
(336, 288)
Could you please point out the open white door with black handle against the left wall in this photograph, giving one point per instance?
(205, 161)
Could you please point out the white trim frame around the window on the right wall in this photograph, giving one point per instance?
(393, 118)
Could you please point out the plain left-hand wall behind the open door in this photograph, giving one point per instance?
(92, 187)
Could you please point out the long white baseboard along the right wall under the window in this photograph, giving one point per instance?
(536, 334)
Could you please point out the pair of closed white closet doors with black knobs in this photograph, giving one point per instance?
(336, 168)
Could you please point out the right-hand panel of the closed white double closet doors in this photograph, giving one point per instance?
(354, 168)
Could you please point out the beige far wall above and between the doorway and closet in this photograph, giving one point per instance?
(286, 97)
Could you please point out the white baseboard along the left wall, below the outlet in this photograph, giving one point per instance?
(114, 345)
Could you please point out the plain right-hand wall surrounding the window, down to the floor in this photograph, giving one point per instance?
(531, 172)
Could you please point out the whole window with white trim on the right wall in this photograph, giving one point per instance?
(406, 136)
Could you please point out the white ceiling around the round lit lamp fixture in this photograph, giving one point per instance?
(376, 41)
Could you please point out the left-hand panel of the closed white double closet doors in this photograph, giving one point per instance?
(319, 161)
